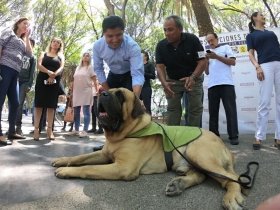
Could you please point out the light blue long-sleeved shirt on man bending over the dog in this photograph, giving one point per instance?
(126, 58)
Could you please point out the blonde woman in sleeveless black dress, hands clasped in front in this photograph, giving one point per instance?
(50, 64)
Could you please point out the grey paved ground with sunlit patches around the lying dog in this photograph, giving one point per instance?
(27, 179)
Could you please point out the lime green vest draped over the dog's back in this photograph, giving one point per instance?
(179, 135)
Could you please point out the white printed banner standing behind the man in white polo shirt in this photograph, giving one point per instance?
(246, 87)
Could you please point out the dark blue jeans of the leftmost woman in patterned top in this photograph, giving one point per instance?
(8, 86)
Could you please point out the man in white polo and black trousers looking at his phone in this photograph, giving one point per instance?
(221, 86)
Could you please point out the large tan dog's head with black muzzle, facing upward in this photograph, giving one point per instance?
(119, 111)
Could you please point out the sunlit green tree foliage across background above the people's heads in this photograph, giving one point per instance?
(78, 22)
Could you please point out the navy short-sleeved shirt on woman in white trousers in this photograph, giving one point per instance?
(266, 44)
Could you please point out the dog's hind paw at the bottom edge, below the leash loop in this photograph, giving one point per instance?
(233, 201)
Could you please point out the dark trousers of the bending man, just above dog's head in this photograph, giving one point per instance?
(120, 80)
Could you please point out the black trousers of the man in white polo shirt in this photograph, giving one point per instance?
(228, 96)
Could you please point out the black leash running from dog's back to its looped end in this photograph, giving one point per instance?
(247, 185)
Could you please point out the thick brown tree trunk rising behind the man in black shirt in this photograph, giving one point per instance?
(202, 17)
